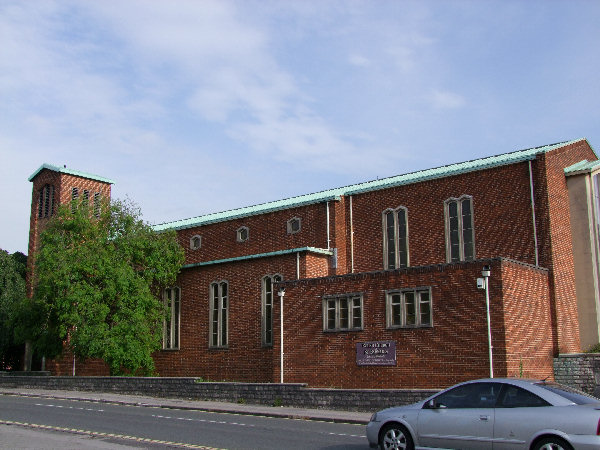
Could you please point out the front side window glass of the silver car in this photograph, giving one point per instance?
(472, 395)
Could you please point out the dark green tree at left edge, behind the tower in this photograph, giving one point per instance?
(12, 295)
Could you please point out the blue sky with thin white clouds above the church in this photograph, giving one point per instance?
(194, 107)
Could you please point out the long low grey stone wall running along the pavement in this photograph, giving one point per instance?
(296, 395)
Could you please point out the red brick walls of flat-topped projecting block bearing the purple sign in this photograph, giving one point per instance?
(454, 349)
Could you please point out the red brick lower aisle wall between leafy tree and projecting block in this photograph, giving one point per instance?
(245, 359)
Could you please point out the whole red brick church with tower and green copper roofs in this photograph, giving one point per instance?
(379, 280)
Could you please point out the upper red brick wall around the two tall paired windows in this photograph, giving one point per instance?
(502, 217)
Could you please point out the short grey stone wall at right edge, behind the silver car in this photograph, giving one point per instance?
(580, 370)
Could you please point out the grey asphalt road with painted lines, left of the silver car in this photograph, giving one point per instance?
(102, 425)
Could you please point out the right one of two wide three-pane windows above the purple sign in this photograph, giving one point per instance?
(409, 308)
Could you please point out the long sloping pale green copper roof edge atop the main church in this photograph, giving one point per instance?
(384, 183)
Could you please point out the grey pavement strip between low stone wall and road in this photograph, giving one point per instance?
(323, 415)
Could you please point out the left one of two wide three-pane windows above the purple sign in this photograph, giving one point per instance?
(343, 312)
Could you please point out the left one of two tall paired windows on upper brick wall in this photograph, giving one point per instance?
(395, 240)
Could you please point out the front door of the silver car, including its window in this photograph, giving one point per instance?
(461, 418)
